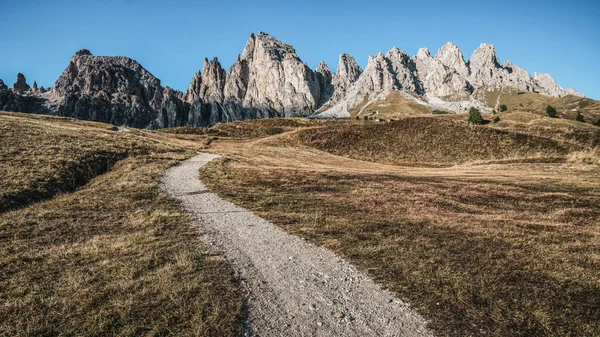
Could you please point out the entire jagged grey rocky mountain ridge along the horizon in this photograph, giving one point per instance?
(267, 79)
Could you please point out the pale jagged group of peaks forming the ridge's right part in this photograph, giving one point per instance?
(445, 79)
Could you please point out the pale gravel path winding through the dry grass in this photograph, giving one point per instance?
(293, 288)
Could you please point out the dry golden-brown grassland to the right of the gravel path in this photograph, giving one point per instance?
(486, 230)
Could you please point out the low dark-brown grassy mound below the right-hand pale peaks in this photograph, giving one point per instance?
(430, 141)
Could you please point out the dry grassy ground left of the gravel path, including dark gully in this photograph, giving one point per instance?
(106, 253)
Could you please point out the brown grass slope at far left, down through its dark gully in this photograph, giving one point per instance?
(41, 156)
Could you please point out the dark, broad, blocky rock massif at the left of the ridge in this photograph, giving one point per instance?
(115, 89)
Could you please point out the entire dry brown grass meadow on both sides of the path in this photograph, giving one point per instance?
(488, 230)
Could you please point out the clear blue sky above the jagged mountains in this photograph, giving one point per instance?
(172, 38)
